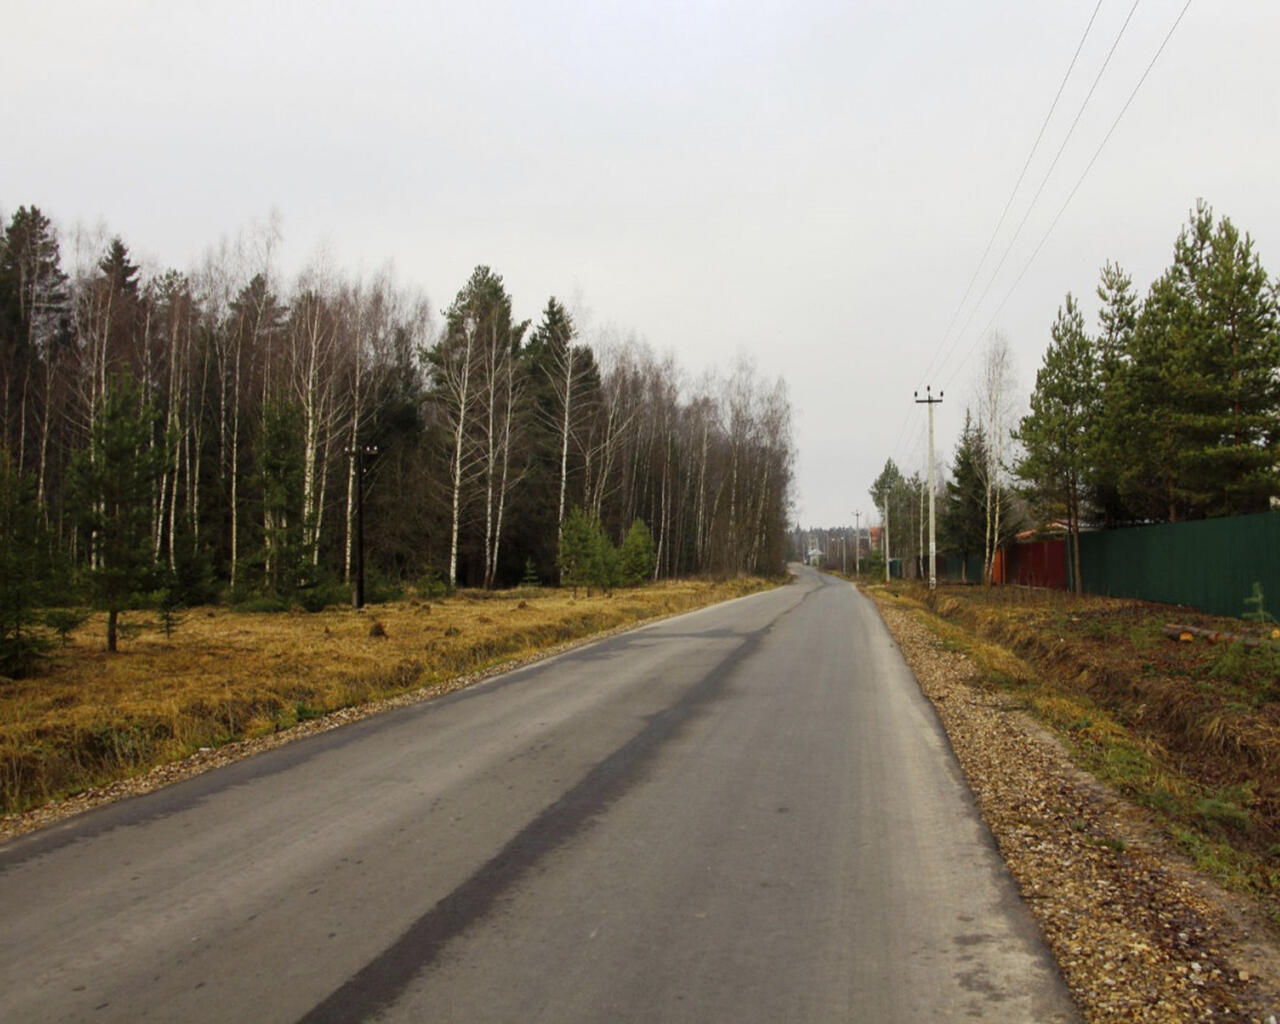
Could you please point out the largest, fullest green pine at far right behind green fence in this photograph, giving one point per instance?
(1196, 409)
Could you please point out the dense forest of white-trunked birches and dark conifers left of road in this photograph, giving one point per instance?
(209, 428)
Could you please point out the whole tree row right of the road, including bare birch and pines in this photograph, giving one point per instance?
(1169, 412)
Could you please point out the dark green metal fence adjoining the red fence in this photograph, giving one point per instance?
(1208, 564)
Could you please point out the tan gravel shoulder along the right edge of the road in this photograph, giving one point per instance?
(1137, 935)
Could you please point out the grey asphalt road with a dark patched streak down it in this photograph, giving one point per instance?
(743, 815)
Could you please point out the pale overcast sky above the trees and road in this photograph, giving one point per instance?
(811, 185)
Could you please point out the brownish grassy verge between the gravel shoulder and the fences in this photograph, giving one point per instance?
(1188, 730)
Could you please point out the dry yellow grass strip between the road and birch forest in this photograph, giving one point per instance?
(93, 717)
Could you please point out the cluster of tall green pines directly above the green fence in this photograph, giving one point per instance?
(1172, 410)
